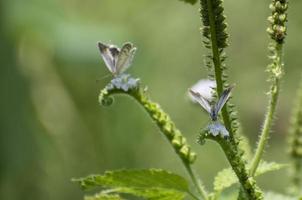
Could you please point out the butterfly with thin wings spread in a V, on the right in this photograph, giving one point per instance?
(214, 109)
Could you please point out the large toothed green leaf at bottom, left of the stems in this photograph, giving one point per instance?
(150, 184)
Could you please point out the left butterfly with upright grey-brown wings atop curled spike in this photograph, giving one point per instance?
(117, 60)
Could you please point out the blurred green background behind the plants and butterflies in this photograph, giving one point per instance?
(52, 127)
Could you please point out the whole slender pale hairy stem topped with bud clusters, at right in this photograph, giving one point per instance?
(277, 32)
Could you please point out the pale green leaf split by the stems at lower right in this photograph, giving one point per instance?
(227, 177)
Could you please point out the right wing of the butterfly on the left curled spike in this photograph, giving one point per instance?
(125, 57)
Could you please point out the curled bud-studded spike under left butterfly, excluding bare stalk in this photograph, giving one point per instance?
(163, 120)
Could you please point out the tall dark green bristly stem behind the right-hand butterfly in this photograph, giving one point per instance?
(213, 21)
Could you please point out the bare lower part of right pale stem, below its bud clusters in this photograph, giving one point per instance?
(274, 94)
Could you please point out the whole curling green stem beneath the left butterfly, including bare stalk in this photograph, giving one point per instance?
(167, 127)
